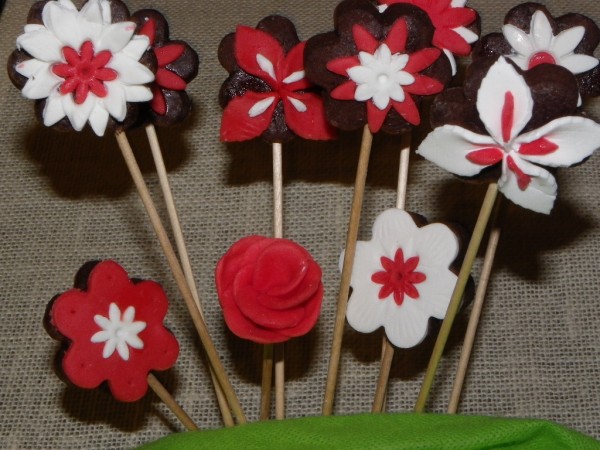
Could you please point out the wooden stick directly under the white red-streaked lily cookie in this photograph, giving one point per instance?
(463, 277)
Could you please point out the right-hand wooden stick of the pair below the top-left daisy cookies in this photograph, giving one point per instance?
(183, 253)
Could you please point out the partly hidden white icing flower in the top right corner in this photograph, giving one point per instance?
(540, 45)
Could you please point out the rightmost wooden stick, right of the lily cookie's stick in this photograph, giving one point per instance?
(484, 279)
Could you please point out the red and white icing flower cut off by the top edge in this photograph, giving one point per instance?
(456, 26)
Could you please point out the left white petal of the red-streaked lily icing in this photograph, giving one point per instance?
(448, 146)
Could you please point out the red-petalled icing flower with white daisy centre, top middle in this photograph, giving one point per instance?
(384, 76)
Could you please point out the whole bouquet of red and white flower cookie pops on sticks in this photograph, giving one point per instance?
(518, 110)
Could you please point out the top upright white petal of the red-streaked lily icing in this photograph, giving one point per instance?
(501, 79)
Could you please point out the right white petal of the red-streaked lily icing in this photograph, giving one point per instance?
(576, 137)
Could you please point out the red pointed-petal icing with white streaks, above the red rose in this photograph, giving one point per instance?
(249, 114)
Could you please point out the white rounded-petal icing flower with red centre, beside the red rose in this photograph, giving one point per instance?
(401, 278)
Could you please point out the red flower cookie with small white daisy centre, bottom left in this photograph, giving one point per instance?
(113, 329)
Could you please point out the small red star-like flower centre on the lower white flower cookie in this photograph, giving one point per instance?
(398, 277)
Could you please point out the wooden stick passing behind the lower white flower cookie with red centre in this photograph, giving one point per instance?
(387, 354)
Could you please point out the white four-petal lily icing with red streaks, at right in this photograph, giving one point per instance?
(505, 106)
